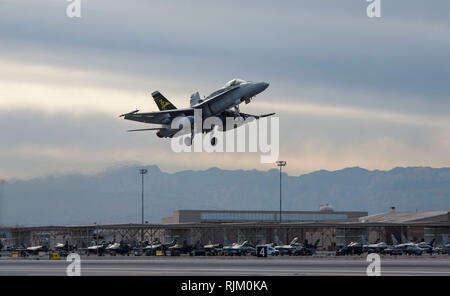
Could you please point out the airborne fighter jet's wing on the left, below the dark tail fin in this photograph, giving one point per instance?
(158, 117)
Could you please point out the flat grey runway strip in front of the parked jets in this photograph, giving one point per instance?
(226, 266)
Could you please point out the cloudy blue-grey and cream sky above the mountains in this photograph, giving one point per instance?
(349, 90)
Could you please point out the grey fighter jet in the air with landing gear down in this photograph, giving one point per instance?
(218, 104)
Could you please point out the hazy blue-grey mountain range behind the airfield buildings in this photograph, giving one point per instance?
(114, 196)
